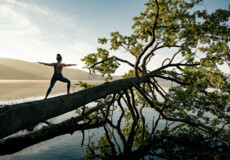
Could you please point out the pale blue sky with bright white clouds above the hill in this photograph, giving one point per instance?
(36, 30)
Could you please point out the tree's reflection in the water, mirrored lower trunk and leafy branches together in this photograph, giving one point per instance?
(129, 134)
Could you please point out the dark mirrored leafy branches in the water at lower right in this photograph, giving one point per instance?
(130, 137)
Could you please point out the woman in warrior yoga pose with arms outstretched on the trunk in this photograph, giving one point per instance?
(58, 74)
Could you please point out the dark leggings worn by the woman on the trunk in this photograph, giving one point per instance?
(58, 76)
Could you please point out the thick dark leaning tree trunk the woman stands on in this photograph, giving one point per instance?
(25, 115)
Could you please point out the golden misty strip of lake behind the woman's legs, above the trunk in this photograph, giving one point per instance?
(17, 91)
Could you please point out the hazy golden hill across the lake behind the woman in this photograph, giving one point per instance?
(12, 69)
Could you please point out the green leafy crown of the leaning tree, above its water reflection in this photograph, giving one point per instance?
(198, 43)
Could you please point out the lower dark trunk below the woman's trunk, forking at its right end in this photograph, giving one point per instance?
(15, 144)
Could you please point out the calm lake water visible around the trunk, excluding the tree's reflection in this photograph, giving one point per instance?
(62, 147)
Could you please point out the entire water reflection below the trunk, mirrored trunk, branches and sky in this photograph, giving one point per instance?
(115, 128)
